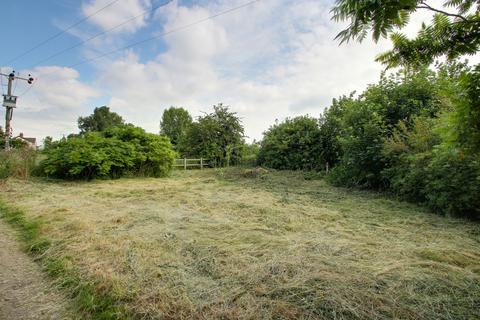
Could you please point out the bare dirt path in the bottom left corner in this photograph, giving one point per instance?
(24, 291)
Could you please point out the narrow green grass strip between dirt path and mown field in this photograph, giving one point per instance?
(89, 300)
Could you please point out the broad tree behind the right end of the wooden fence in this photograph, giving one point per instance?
(217, 136)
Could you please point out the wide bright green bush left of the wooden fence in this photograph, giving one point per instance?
(116, 152)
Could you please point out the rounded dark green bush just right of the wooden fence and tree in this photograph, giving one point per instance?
(291, 145)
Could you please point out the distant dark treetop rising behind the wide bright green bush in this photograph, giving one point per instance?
(101, 119)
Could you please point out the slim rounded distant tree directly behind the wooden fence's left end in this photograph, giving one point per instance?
(175, 124)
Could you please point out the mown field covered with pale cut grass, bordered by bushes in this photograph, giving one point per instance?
(236, 244)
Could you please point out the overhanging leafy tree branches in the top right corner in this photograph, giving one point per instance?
(454, 31)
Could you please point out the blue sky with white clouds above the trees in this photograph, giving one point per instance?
(267, 60)
